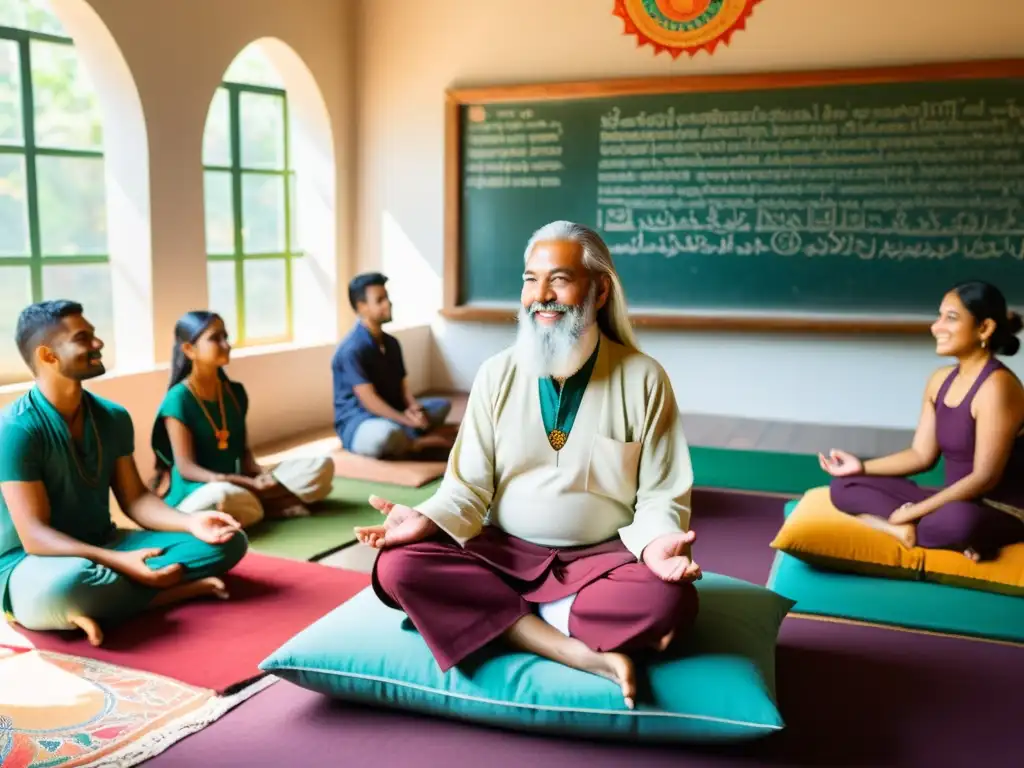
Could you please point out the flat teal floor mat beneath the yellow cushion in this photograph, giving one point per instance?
(898, 603)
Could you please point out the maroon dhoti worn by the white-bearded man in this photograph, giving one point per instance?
(462, 599)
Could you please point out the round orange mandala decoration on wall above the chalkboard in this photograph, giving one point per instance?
(684, 26)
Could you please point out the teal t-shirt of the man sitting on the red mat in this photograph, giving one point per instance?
(36, 447)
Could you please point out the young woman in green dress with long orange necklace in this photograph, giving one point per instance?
(200, 438)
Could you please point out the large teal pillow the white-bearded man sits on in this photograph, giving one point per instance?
(719, 686)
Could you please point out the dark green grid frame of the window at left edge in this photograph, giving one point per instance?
(29, 151)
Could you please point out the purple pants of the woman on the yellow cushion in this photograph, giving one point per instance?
(957, 526)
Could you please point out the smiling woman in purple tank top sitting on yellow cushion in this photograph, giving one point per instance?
(973, 416)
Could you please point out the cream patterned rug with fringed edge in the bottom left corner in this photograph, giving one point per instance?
(58, 710)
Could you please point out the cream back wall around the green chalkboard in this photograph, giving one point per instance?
(410, 53)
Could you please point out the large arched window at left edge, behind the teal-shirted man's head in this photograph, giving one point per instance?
(53, 189)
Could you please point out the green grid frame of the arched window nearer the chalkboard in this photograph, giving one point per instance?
(239, 258)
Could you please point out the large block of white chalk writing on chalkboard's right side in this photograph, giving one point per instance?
(937, 180)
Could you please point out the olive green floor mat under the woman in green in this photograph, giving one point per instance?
(330, 528)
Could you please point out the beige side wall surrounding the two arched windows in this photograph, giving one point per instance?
(177, 54)
